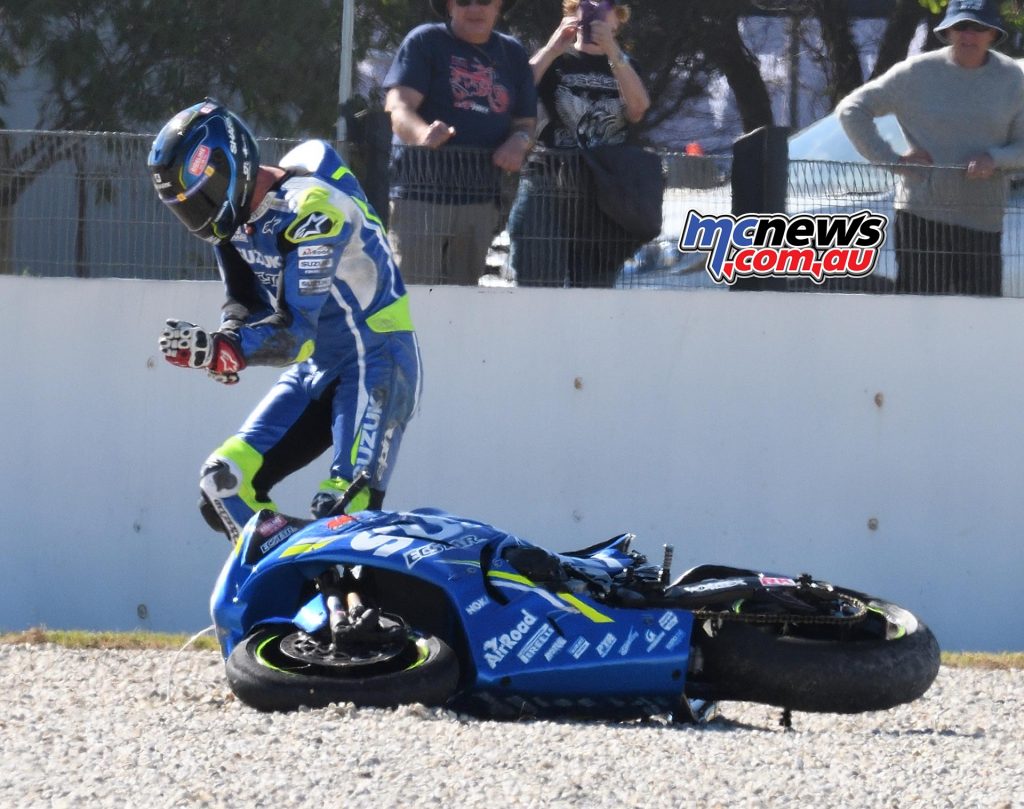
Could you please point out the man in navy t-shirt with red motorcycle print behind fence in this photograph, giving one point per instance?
(463, 108)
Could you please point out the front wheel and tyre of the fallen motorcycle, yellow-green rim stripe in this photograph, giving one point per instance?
(422, 669)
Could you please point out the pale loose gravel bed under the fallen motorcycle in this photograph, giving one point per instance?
(148, 729)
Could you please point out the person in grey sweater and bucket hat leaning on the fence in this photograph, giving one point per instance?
(962, 111)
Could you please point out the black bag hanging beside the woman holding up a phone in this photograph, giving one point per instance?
(629, 184)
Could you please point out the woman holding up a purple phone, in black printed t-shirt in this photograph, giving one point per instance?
(590, 94)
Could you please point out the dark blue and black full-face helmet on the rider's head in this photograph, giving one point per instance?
(204, 165)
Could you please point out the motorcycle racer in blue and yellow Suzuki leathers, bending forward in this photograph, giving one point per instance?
(312, 285)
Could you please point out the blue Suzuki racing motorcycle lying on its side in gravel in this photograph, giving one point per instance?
(383, 609)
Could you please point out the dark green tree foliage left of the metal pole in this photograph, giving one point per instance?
(130, 64)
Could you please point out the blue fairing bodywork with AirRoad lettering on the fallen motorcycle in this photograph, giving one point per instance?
(524, 640)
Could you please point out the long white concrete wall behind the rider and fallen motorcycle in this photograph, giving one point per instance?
(754, 430)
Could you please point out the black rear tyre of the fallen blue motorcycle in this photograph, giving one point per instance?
(886, 660)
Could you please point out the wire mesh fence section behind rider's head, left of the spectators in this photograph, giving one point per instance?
(82, 204)
